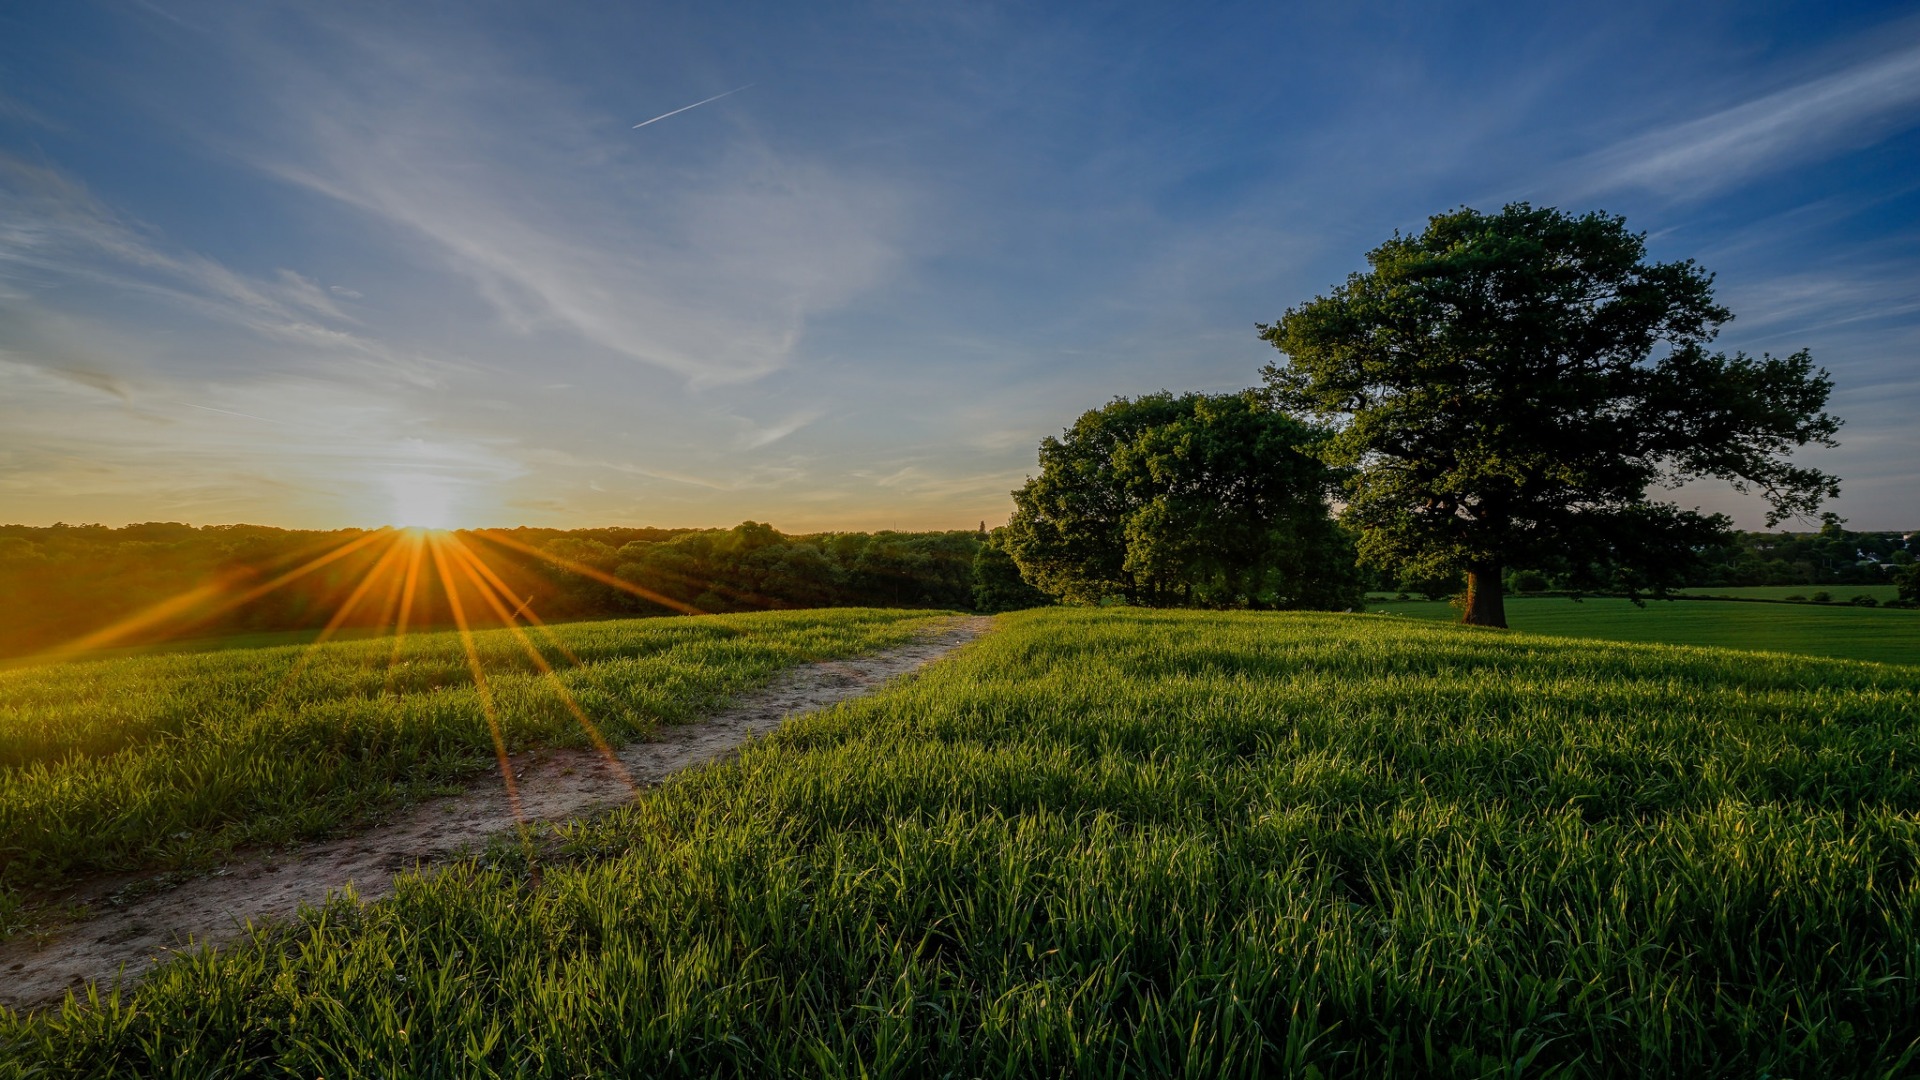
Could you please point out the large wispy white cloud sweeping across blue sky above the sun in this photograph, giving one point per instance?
(708, 264)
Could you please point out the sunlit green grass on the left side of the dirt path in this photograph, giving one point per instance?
(172, 760)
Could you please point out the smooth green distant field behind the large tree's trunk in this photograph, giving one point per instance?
(1812, 629)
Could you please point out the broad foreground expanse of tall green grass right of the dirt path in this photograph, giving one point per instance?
(1116, 843)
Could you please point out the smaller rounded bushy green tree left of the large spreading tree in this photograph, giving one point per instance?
(1197, 501)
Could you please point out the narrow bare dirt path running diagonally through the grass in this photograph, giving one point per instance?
(122, 943)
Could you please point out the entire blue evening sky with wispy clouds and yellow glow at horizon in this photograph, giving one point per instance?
(350, 264)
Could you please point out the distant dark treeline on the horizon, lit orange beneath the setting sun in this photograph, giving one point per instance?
(162, 581)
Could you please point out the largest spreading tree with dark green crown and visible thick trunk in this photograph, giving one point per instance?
(1504, 389)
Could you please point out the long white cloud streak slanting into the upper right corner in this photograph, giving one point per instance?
(1858, 105)
